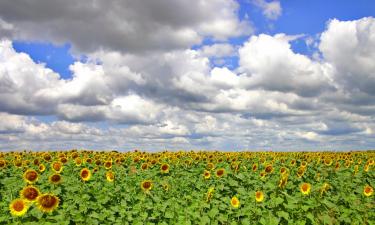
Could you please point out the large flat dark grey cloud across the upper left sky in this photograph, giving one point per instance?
(127, 26)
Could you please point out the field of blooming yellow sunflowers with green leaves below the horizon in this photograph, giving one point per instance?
(187, 187)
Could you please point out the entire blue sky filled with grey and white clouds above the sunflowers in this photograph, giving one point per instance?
(208, 74)
